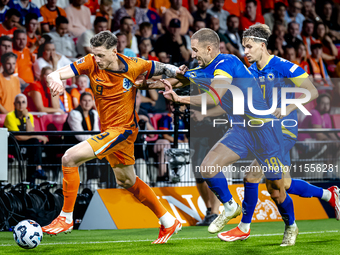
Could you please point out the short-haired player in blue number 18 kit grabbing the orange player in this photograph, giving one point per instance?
(263, 137)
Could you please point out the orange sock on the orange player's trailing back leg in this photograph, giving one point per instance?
(147, 197)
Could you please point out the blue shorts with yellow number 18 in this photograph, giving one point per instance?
(264, 142)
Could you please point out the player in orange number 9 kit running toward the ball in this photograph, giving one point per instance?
(112, 76)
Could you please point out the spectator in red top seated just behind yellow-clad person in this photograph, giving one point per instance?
(39, 97)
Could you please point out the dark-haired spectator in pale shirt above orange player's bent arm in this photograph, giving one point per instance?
(62, 40)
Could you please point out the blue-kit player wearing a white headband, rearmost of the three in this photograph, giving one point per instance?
(274, 72)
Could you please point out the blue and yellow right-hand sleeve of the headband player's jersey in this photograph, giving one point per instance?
(293, 72)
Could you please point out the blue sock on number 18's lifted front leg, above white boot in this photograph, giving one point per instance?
(219, 185)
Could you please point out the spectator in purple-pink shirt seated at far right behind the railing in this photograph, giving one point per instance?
(319, 118)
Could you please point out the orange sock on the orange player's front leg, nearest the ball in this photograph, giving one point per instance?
(71, 183)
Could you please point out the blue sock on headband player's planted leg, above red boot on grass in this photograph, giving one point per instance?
(250, 200)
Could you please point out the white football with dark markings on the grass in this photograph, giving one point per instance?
(27, 234)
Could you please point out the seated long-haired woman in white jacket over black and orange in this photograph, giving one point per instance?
(84, 118)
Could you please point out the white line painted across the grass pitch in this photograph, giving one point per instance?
(190, 238)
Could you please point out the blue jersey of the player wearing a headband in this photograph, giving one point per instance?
(279, 73)
